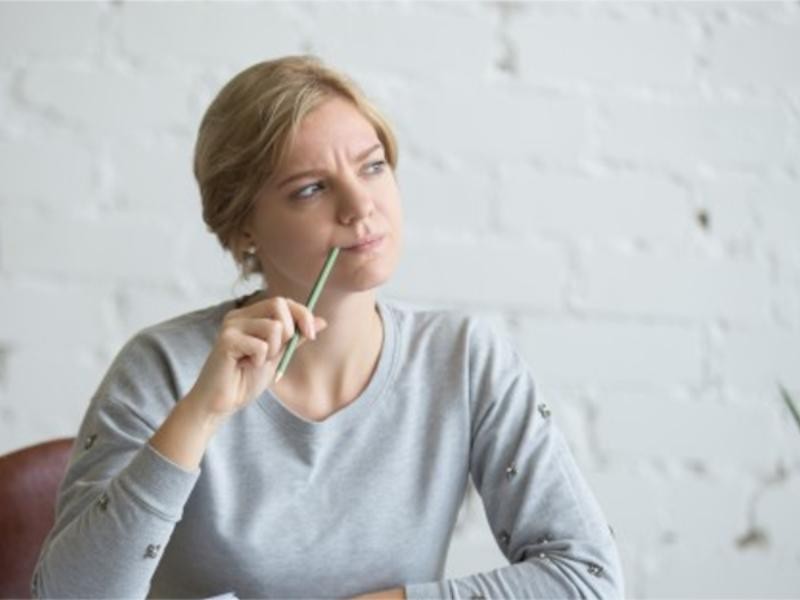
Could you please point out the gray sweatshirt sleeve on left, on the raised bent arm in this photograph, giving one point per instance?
(120, 499)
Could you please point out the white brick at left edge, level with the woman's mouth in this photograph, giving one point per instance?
(89, 250)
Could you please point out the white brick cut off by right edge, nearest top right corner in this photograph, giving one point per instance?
(755, 54)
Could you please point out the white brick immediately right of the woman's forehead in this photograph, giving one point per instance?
(488, 124)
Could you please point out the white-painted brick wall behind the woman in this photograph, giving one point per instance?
(617, 184)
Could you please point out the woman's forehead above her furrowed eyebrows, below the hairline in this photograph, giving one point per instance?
(335, 125)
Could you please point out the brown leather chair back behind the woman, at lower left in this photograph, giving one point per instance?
(29, 480)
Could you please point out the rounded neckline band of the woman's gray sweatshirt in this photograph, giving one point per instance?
(356, 410)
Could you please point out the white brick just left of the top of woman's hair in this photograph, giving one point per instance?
(111, 102)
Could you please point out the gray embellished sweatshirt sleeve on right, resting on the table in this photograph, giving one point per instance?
(541, 511)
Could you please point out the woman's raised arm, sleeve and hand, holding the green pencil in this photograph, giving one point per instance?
(126, 488)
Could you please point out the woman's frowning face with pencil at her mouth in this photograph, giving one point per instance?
(333, 189)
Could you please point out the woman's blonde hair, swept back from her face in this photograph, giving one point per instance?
(248, 129)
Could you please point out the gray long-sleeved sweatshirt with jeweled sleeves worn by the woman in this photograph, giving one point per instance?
(367, 499)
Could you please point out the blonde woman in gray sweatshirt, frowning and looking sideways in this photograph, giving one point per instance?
(195, 474)
